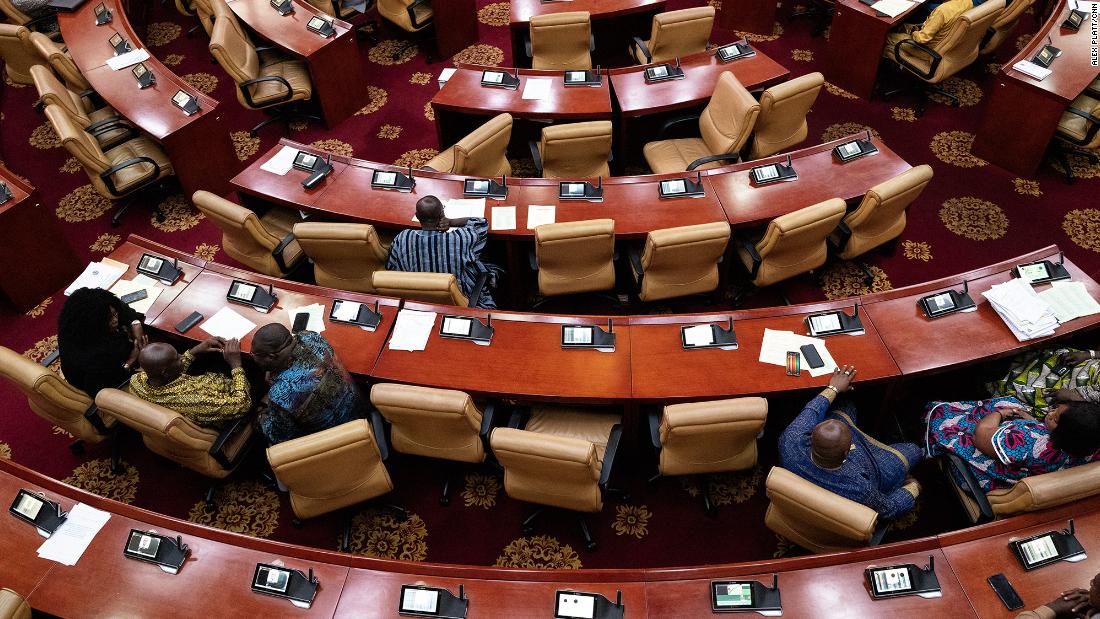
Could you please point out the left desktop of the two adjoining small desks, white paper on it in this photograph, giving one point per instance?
(465, 94)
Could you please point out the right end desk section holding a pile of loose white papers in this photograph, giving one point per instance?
(920, 345)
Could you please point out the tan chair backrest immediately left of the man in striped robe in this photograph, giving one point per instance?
(346, 256)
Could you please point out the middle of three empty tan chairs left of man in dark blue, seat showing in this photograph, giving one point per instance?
(559, 458)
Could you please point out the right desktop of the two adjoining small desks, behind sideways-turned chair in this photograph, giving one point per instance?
(701, 74)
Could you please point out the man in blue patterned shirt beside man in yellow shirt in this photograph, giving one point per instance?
(311, 391)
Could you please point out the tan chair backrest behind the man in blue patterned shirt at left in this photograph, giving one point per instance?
(331, 470)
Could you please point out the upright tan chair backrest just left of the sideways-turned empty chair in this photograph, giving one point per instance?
(578, 150)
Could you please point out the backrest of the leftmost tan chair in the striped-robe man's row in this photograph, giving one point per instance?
(244, 236)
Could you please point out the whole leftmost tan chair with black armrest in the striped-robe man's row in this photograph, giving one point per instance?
(266, 244)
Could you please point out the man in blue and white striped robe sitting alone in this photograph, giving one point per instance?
(444, 246)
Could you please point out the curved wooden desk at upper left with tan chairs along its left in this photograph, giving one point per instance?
(151, 109)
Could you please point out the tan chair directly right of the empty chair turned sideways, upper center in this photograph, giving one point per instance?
(784, 109)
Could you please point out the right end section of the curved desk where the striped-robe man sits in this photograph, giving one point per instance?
(821, 178)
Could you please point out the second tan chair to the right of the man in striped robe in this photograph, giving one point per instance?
(683, 261)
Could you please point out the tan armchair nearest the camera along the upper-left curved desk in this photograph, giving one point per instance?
(118, 172)
